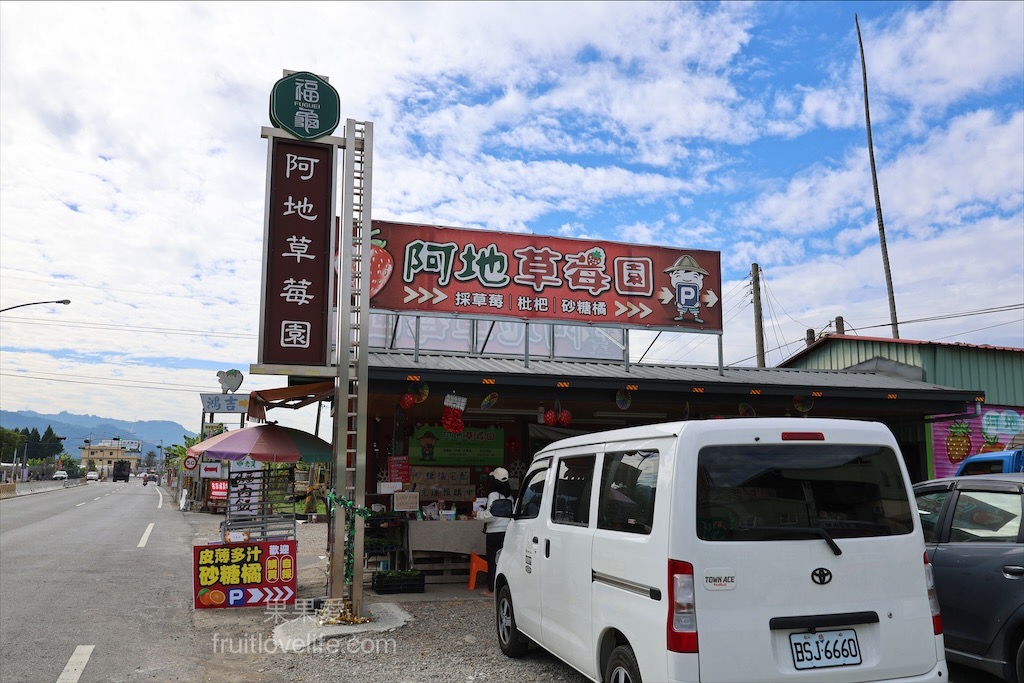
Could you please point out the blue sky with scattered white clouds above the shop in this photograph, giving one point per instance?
(134, 174)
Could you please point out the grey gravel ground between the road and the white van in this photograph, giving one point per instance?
(446, 641)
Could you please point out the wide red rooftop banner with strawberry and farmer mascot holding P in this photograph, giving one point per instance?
(446, 271)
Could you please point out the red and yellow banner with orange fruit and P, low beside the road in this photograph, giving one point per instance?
(245, 575)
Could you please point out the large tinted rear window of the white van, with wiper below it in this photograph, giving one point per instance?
(761, 493)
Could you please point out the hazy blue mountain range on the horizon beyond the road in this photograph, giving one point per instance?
(77, 429)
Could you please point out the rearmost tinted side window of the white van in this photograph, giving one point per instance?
(628, 487)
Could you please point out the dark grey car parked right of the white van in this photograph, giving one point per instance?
(975, 543)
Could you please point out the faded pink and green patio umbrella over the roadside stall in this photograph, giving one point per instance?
(266, 444)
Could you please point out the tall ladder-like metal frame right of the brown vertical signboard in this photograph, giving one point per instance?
(352, 396)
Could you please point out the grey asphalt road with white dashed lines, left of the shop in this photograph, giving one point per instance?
(99, 577)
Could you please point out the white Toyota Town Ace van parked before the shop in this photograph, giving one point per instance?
(745, 550)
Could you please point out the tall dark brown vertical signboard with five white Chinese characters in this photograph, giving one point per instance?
(298, 259)
